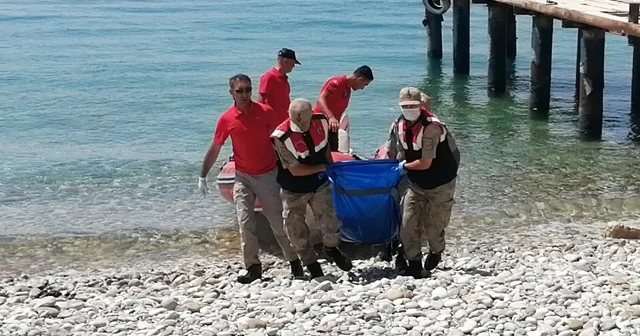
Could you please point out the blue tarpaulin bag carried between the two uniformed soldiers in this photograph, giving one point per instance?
(365, 196)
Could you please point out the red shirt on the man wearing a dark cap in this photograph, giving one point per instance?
(275, 88)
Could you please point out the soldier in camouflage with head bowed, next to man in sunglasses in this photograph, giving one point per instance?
(301, 144)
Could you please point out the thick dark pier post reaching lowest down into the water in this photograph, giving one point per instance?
(591, 82)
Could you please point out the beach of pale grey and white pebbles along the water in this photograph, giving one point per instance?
(523, 284)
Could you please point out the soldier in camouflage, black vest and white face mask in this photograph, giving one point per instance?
(430, 159)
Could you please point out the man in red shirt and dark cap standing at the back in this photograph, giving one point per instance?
(274, 88)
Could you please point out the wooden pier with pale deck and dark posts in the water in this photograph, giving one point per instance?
(592, 19)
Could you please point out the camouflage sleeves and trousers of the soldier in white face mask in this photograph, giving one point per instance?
(425, 211)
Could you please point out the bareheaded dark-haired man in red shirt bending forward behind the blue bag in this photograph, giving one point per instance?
(334, 98)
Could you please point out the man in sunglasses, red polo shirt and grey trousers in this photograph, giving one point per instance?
(249, 124)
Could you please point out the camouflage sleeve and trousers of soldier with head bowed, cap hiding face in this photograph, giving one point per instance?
(295, 210)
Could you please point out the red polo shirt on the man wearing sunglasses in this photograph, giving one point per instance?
(250, 137)
